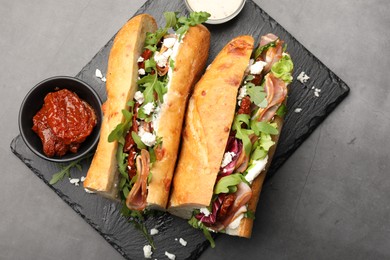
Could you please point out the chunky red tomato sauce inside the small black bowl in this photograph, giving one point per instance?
(63, 123)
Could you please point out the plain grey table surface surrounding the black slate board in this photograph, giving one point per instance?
(330, 200)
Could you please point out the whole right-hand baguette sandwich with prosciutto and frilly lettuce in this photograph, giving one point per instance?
(232, 125)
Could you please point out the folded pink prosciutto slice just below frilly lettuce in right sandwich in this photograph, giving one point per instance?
(276, 90)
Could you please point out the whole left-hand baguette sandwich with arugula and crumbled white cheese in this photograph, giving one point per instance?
(150, 74)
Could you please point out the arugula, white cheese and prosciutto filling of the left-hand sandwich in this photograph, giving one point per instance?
(139, 145)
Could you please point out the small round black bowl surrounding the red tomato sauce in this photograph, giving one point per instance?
(33, 102)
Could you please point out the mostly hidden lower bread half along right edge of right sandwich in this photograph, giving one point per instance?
(246, 224)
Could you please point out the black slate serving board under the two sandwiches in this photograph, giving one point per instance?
(104, 215)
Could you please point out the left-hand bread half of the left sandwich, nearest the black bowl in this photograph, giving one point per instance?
(122, 74)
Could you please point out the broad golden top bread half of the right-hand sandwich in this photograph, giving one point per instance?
(208, 120)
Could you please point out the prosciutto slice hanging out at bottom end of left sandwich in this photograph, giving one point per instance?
(136, 200)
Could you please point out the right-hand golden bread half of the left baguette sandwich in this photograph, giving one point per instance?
(189, 64)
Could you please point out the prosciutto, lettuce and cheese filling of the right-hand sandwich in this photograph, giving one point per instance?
(261, 97)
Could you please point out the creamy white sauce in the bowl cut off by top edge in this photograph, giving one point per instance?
(217, 9)
